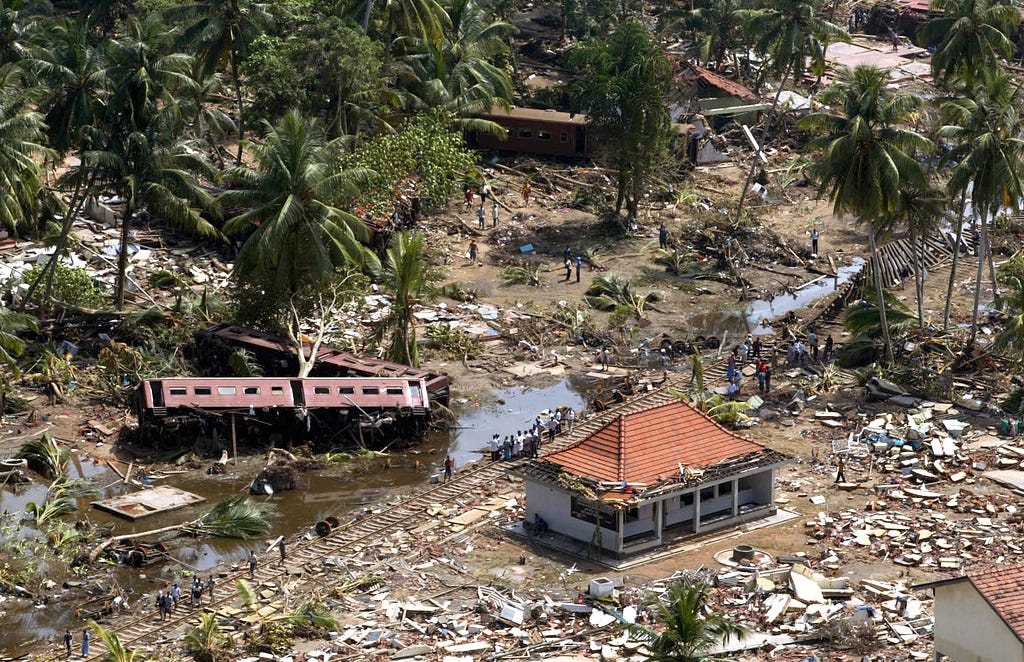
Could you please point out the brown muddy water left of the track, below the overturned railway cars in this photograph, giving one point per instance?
(337, 491)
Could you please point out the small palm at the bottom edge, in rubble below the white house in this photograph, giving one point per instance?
(693, 629)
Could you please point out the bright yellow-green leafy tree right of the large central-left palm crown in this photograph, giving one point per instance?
(425, 151)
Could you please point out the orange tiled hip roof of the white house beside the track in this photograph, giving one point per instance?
(649, 445)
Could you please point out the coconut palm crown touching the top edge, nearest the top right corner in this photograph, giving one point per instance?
(972, 36)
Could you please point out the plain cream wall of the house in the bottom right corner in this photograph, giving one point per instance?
(967, 630)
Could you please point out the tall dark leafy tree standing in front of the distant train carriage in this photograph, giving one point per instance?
(623, 84)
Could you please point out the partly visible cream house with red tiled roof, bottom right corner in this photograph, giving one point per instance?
(980, 617)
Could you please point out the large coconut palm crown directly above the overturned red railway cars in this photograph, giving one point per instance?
(295, 231)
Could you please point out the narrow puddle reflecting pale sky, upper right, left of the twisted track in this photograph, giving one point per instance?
(748, 320)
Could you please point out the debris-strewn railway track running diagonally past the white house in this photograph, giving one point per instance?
(143, 627)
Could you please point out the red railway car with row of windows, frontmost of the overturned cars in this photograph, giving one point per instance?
(325, 411)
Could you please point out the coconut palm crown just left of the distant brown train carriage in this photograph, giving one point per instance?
(463, 72)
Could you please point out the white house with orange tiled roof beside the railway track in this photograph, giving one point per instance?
(667, 470)
